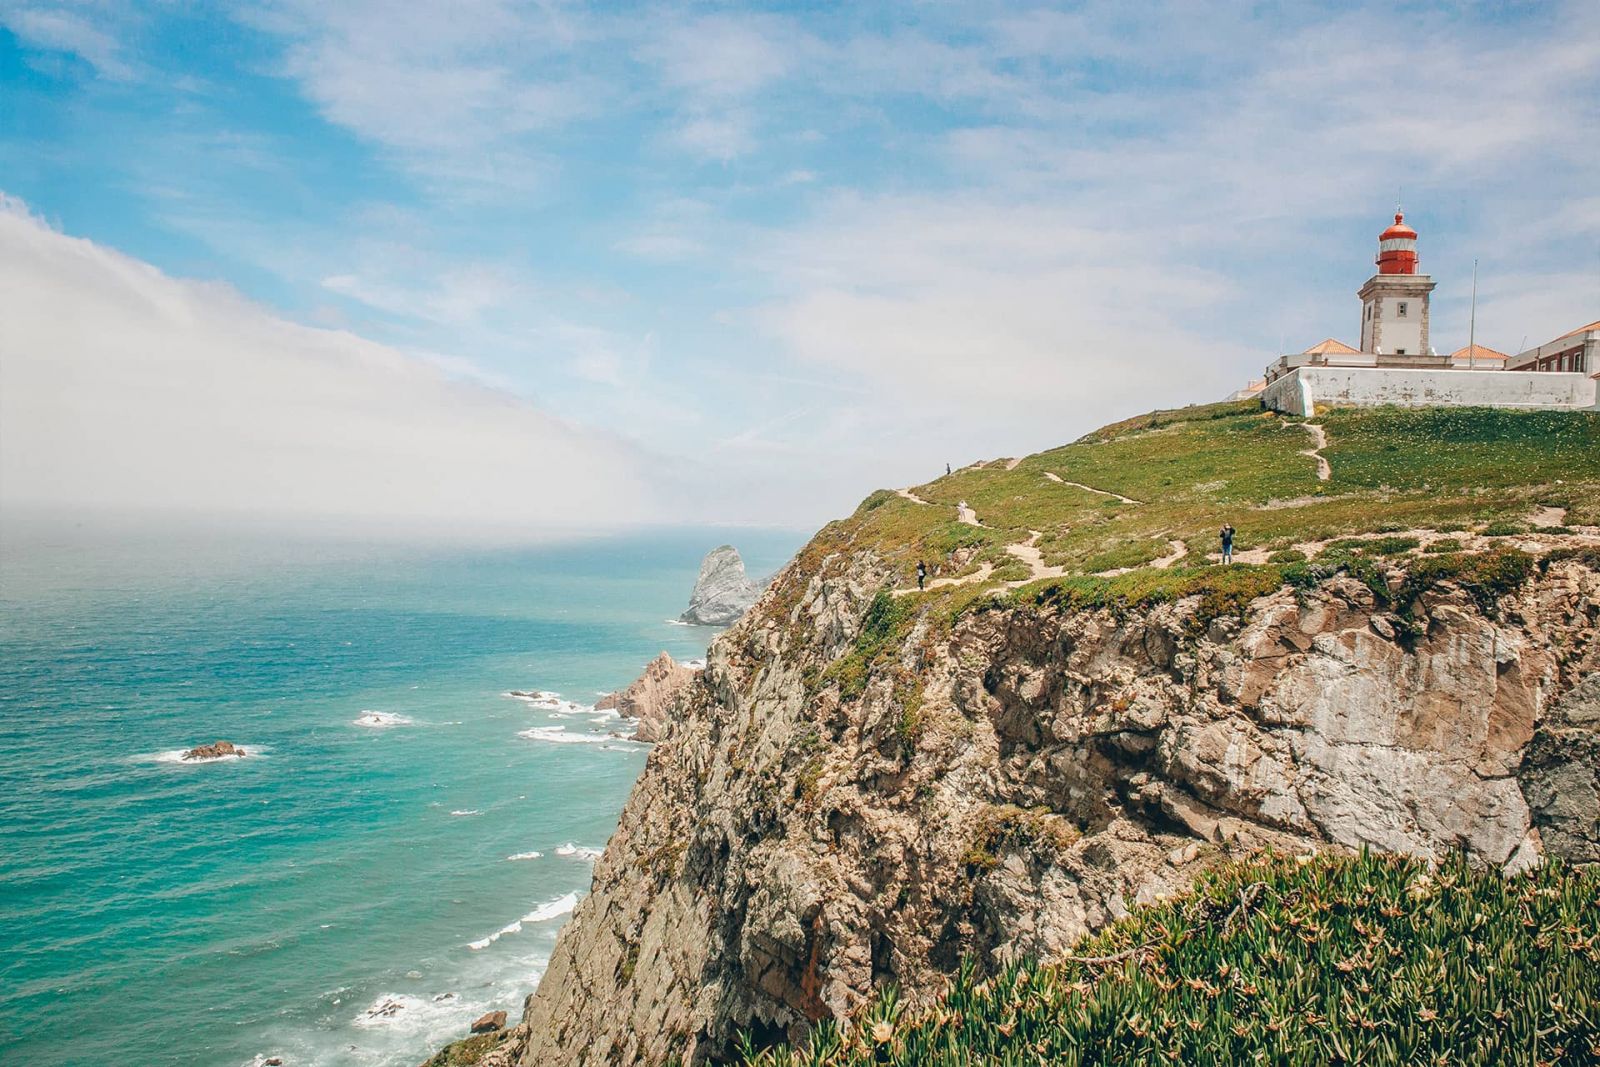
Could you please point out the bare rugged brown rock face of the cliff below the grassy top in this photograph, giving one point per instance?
(831, 810)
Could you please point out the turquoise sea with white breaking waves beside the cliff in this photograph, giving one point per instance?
(348, 893)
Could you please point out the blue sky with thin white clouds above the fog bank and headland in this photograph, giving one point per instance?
(777, 257)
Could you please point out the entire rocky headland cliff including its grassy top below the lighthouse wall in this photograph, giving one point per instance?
(871, 785)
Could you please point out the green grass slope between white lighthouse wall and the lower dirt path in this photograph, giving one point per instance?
(1198, 468)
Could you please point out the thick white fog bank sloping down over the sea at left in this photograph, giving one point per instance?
(130, 390)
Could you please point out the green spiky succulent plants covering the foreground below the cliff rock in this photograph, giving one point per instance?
(1338, 961)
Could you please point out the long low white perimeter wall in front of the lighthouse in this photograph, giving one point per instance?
(1370, 386)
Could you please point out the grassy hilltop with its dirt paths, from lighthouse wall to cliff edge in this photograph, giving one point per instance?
(1130, 514)
